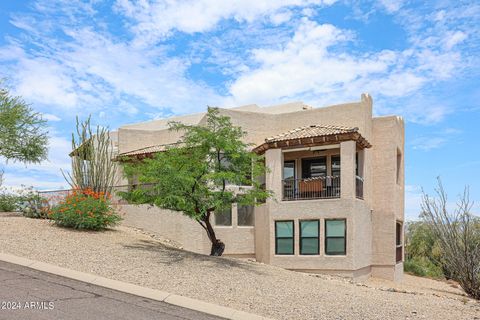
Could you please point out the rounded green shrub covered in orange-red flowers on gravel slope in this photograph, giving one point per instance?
(85, 209)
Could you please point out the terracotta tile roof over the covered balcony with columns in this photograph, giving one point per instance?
(310, 131)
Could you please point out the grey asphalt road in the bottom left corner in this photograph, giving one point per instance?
(30, 294)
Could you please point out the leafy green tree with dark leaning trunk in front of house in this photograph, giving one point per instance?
(208, 170)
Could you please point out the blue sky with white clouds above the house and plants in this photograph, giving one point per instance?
(126, 61)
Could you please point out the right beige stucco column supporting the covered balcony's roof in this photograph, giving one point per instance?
(348, 151)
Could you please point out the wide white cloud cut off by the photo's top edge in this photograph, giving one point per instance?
(154, 20)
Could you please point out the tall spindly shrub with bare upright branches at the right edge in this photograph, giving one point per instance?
(458, 233)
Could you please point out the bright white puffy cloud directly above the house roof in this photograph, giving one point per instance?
(303, 66)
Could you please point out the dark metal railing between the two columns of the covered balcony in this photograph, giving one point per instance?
(311, 188)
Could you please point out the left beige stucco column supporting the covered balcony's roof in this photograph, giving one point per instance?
(274, 176)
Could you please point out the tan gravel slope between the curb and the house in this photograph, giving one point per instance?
(133, 256)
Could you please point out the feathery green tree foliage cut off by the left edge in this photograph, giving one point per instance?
(23, 135)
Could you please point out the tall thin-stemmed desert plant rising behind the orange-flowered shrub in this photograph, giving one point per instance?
(93, 165)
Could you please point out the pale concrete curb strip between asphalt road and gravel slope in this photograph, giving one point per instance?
(189, 303)
